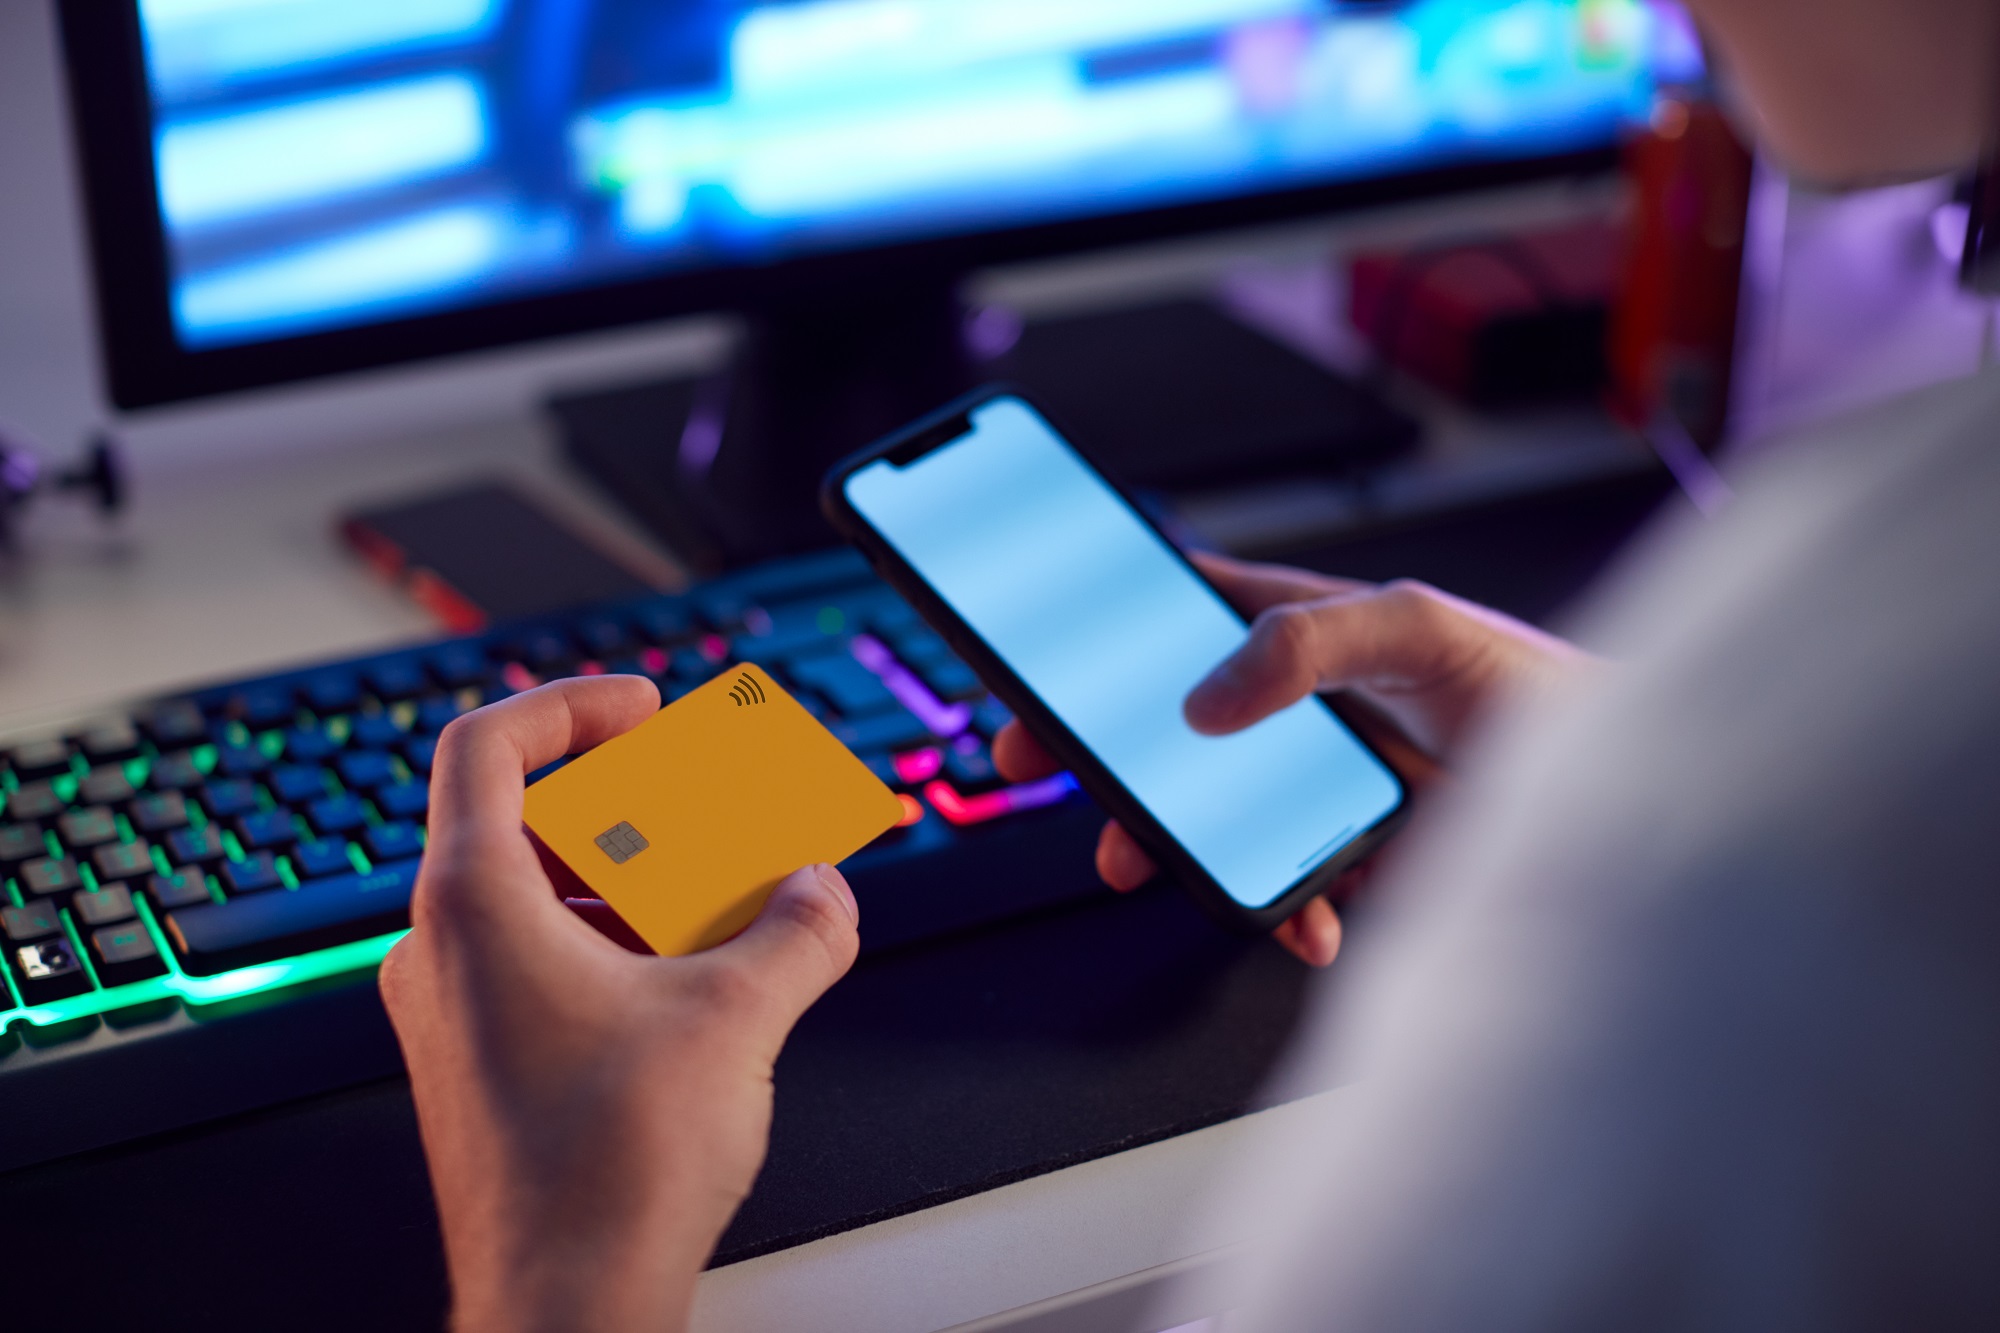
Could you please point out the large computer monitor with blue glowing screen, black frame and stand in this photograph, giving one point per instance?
(289, 189)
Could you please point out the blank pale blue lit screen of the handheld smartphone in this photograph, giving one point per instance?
(1109, 629)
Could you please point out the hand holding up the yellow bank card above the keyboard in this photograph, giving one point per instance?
(593, 1118)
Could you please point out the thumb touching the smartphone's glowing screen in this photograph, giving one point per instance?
(1397, 635)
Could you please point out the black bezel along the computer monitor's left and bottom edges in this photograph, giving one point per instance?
(147, 365)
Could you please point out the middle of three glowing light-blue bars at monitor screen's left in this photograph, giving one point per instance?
(281, 157)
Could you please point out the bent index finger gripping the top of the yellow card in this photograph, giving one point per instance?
(483, 758)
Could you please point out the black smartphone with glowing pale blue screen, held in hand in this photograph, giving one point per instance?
(1091, 625)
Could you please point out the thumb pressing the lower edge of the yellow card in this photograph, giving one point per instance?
(801, 944)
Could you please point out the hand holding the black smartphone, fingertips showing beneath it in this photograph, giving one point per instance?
(1423, 663)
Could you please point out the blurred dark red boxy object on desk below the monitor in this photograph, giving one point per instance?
(1499, 319)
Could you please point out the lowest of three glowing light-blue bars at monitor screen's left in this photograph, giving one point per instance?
(371, 271)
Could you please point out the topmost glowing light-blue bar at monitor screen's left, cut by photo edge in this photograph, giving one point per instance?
(201, 45)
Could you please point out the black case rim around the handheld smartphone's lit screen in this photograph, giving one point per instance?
(947, 425)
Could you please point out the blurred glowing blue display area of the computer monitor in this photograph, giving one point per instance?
(333, 163)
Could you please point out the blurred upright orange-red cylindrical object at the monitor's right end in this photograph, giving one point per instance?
(1673, 337)
